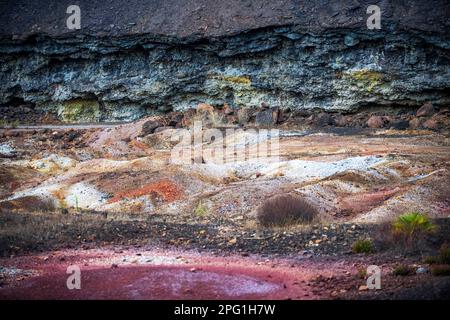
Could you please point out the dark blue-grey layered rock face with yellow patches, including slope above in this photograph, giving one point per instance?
(156, 56)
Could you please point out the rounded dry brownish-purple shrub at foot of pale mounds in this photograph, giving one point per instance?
(285, 209)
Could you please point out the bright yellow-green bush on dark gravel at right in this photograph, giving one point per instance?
(412, 226)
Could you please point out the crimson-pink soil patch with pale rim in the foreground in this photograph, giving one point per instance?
(204, 277)
